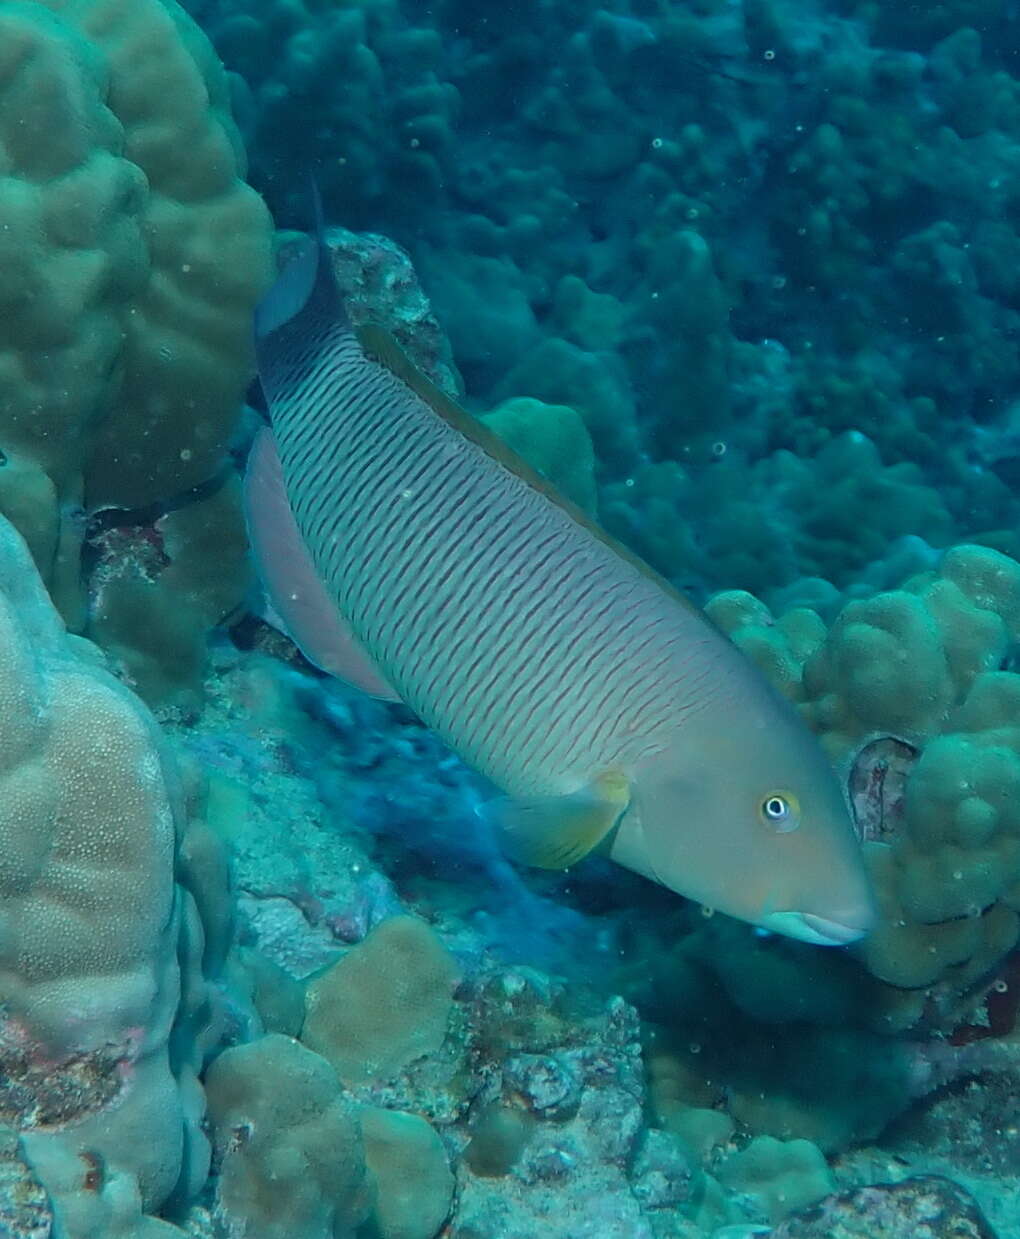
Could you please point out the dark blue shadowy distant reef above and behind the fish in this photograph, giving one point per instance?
(744, 232)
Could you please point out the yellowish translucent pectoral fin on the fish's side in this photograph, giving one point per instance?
(558, 832)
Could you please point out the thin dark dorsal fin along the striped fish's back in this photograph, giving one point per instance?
(380, 346)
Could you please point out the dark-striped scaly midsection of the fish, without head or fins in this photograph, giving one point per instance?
(527, 644)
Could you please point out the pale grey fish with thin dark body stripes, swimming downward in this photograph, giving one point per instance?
(406, 542)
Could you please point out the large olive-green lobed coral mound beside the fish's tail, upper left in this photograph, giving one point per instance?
(133, 256)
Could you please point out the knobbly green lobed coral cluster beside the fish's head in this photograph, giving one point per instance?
(921, 663)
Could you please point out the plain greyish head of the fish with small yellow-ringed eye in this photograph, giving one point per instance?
(743, 812)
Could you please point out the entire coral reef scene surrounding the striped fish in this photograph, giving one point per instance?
(742, 279)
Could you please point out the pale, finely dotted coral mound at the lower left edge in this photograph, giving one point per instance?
(91, 929)
